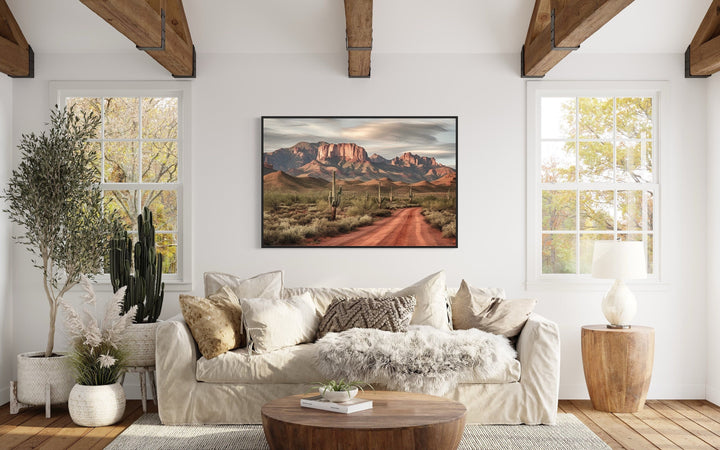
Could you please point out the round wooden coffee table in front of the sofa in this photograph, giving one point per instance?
(397, 420)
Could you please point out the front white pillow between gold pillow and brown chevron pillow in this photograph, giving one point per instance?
(276, 323)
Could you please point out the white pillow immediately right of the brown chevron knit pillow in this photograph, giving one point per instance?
(431, 306)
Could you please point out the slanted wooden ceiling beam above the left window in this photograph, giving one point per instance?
(143, 22)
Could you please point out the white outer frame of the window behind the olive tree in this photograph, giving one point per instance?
(59, 91)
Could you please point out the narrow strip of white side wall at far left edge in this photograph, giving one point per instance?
(7, 352)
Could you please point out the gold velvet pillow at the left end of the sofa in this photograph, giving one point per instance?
(215, 322)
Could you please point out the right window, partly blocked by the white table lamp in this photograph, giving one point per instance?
(592, 162)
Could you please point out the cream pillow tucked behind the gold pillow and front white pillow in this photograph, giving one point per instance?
(265, 285)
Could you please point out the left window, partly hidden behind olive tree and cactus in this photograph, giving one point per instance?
(140, 149)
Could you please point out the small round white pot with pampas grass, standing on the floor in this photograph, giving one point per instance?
(96, 406)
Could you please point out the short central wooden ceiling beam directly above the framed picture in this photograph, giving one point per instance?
(358, 37)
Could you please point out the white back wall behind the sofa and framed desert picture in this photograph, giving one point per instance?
(486, 92)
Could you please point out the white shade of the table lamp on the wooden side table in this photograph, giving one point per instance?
(619, 260)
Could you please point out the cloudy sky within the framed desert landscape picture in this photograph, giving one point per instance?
(388, 137)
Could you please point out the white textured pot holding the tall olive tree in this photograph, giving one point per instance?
(35, 371)
